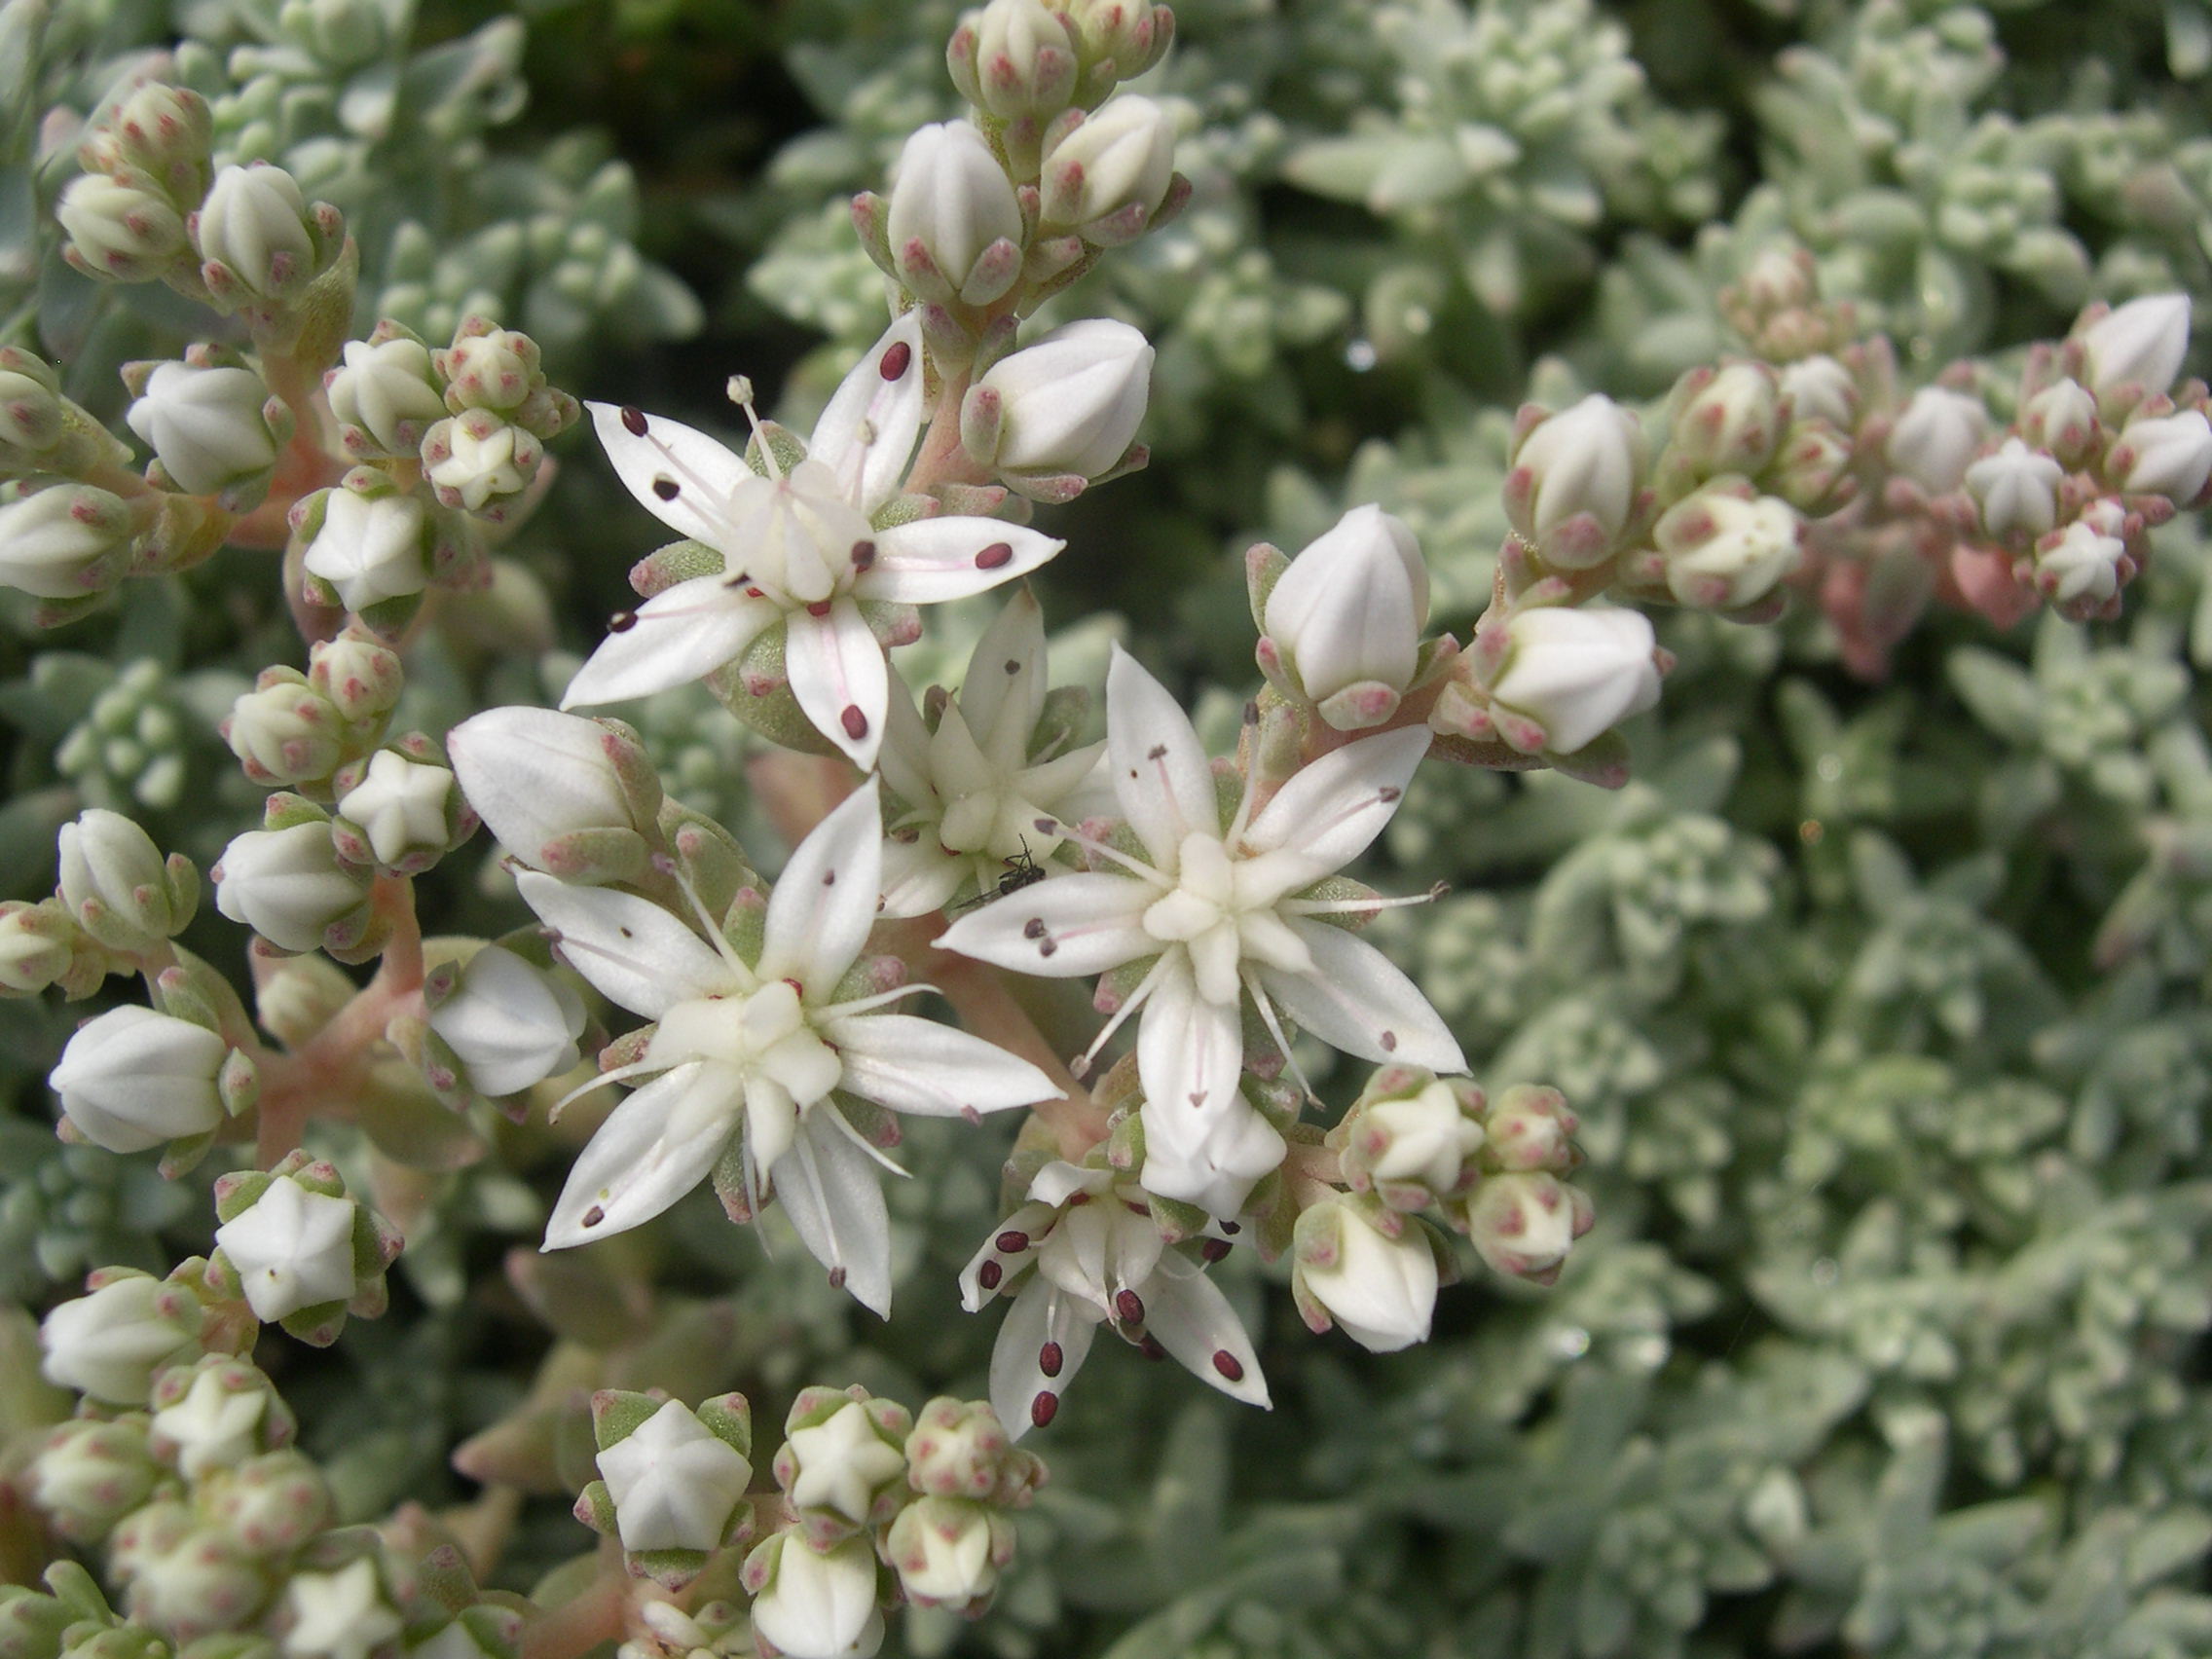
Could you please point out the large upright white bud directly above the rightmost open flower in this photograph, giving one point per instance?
(1348, 616)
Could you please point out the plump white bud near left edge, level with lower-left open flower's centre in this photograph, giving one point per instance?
(136, 1078)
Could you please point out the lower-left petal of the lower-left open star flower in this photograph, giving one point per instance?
(632, 1171)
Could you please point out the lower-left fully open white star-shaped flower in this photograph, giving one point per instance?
(755, 1050)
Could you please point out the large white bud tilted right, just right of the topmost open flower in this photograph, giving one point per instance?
(1072, 404)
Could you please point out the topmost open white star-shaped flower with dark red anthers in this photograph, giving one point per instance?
(800, 550)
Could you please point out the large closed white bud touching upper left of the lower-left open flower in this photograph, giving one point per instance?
(550, 784)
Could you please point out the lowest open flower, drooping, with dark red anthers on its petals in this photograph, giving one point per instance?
(1098, 1260)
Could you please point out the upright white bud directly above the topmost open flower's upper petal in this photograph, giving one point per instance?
(950, 205)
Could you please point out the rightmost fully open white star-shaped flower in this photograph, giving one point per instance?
(1222, 915)
